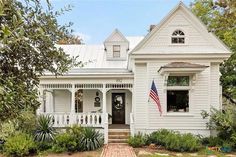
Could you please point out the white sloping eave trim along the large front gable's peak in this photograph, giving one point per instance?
(182, 6)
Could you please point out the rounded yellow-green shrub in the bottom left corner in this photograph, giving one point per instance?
(20, 144)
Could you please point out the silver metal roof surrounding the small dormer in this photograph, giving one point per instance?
(94, 56)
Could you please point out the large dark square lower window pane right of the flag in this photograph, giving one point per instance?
(177, 101)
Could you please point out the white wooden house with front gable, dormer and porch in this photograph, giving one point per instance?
(179, 54)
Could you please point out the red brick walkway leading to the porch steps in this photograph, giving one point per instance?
(118, 150)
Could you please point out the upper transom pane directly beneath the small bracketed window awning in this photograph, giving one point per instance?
(178, 81)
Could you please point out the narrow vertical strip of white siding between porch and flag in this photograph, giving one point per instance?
(140, 89)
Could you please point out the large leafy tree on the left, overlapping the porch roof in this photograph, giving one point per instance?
(28, 34)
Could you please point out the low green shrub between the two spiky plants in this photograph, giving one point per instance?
(64, 142)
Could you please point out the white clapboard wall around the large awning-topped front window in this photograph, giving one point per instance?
(199, 100)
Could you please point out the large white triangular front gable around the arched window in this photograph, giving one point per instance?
(197, 37)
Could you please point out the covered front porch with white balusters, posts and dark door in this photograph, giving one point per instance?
(88, 105)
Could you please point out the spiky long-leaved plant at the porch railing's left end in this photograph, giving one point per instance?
(44, 130)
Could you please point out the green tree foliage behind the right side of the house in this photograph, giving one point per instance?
(219, 16)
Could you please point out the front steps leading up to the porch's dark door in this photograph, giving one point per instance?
(118, 135)
